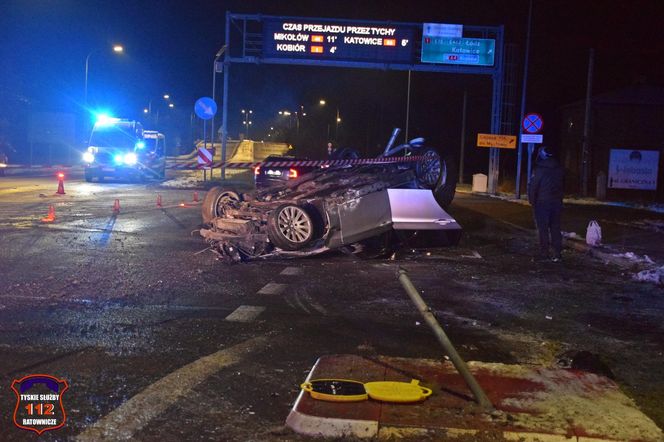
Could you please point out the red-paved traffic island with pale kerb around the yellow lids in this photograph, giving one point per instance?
(532, 403)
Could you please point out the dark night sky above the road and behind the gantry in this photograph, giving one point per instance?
(169, 47)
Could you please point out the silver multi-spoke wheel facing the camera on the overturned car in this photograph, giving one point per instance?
(290, 227)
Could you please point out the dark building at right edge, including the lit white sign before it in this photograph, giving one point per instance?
(626, 143)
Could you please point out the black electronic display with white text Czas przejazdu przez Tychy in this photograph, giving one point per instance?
(338, 40)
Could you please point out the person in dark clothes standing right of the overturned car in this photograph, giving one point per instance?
(545, 194)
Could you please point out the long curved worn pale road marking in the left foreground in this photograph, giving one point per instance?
(129, 418)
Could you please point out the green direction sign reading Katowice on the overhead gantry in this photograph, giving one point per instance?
(468, 51)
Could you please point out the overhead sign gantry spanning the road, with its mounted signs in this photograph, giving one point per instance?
(426, 47)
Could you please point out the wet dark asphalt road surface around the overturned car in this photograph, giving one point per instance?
(132, 311)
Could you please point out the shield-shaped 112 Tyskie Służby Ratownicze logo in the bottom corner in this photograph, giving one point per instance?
(39, 405)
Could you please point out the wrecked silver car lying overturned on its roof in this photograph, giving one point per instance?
(365, 209)
